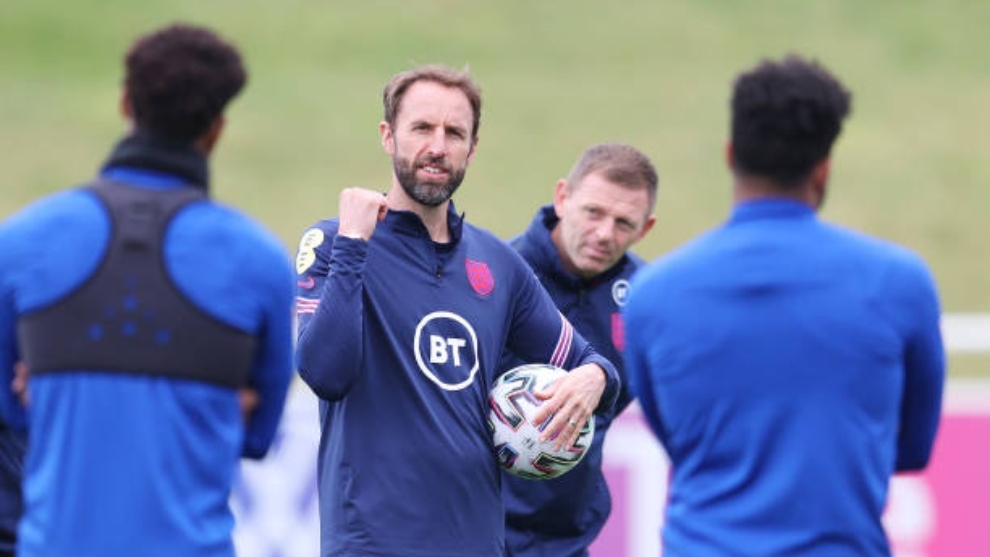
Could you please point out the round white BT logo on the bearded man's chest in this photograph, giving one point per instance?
(446, 348)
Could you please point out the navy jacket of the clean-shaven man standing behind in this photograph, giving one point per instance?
(561, 517)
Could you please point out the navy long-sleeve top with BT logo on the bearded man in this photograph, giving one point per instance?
(400, 337)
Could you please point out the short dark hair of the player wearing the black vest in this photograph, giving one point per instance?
(180, 78)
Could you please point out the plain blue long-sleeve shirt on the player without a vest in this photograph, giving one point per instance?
(789, 367)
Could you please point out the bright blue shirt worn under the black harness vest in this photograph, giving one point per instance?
(121, 464)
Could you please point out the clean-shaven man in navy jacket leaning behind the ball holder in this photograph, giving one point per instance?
(579, 249)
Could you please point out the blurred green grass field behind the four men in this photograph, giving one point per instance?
(558, 75)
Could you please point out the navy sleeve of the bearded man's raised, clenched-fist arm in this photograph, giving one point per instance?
(330, 306)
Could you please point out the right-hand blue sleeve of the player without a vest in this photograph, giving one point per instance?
(924, 375)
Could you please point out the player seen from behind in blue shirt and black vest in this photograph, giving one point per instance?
(154, 325)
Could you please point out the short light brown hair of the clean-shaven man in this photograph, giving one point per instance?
(620, 164)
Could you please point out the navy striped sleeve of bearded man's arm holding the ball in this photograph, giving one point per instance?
(540, 333)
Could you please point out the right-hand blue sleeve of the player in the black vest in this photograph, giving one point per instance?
(273, 368)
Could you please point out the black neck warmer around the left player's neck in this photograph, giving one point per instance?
(146, 151)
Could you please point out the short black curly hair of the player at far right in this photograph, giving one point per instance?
(785, 117)
